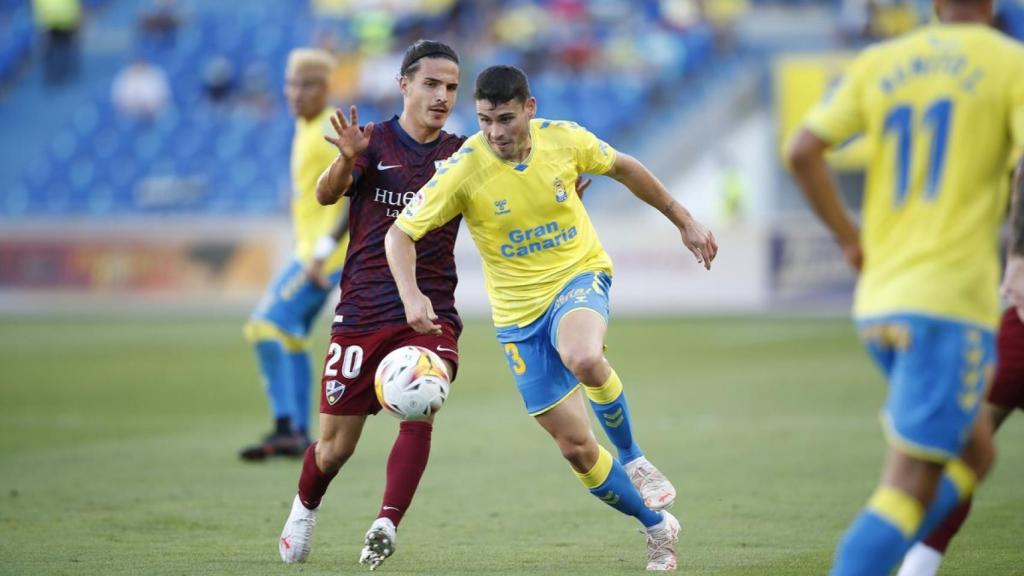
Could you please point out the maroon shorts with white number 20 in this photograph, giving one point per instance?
(348, 385)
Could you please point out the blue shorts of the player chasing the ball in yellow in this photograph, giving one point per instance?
(532, 351)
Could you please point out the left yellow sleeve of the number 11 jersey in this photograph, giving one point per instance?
(841, 115)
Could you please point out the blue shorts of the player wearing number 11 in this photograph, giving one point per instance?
(938, 372)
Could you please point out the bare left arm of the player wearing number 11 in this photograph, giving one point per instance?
(807, 160)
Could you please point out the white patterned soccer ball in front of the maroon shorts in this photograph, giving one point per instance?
(412, 383)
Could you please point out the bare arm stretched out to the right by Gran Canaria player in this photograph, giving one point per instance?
(647, 187)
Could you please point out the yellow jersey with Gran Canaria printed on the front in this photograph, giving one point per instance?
(530, 226)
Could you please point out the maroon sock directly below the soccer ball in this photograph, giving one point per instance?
(405, 469)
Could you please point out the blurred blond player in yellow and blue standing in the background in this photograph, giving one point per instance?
(280, 326)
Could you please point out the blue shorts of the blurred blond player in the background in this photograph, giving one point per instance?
(293, 302)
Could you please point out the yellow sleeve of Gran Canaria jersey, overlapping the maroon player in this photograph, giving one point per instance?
(438, 202)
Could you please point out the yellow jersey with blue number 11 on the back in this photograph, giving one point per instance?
(943, 112)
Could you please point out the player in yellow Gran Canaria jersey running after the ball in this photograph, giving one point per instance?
(548, 279)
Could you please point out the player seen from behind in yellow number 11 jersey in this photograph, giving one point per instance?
(943, 110)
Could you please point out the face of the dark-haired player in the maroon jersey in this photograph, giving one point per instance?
(430, 93)
